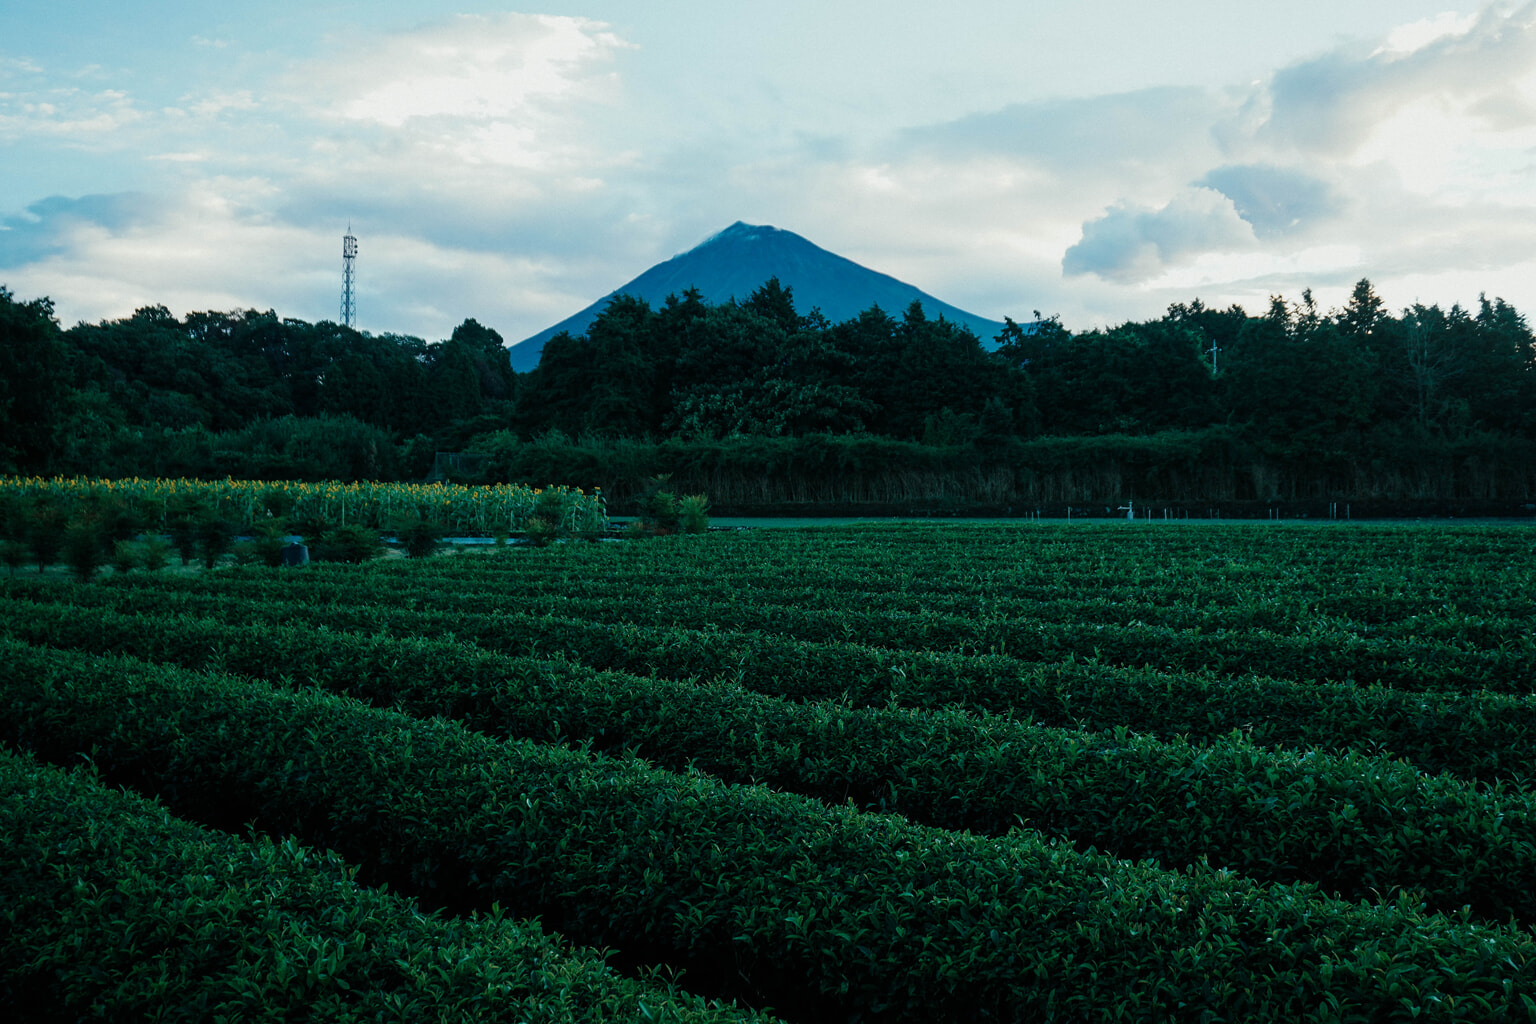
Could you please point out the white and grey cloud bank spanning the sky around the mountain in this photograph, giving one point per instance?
(512, 168)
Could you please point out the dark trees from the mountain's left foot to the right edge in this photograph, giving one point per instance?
(1294, 380)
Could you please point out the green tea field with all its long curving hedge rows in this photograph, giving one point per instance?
(879, 773)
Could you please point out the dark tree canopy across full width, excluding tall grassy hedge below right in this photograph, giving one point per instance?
(1300, 386)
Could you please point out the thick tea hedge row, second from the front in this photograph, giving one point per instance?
(856, 914)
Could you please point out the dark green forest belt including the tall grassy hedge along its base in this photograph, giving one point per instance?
(764, 406)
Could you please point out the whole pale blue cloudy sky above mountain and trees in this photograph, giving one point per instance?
(1094, 160)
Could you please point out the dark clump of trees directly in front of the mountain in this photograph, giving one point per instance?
(761, 369)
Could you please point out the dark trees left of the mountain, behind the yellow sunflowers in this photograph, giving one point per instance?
(240, 394)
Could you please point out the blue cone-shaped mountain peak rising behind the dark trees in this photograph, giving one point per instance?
(740, 260)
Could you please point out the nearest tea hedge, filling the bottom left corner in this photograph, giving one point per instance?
(114, 910)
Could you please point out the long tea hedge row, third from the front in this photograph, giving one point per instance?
(1351, 824)
